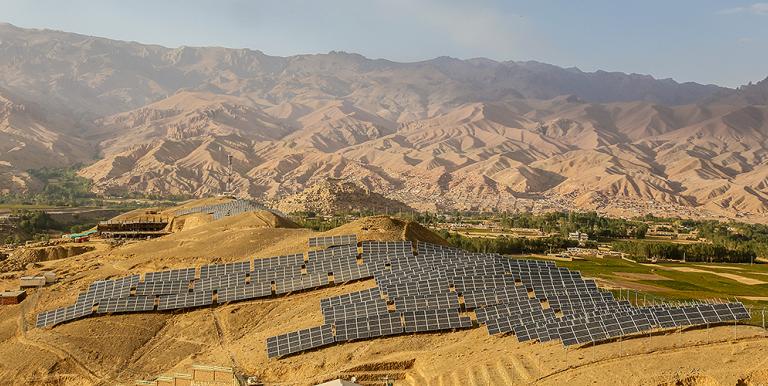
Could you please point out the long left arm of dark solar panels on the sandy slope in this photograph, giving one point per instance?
(231, 281)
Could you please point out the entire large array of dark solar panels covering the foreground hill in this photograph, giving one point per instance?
(433, 289)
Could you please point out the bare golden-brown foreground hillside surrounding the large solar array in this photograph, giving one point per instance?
(121, 348)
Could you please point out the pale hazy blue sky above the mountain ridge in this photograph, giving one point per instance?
(707, 41)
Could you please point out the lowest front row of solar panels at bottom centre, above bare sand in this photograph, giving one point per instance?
(392, 323)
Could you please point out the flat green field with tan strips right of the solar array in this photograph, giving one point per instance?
(661, 283)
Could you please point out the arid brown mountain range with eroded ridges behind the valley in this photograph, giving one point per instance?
(438, 134)
